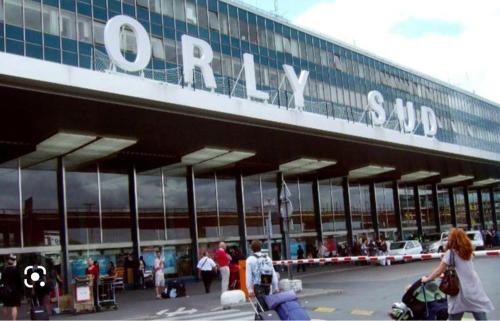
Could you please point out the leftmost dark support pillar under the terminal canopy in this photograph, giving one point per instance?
(63, 222)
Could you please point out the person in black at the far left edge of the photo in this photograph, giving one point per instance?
(11, 289)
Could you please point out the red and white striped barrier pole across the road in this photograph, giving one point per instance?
(422, 257)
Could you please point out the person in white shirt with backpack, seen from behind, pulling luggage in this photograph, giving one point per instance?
(260, 274)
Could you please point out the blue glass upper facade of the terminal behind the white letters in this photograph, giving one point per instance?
(71, 32)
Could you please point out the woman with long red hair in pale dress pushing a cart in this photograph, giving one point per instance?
(471, 297)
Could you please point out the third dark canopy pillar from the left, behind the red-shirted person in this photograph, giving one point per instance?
(193, 226)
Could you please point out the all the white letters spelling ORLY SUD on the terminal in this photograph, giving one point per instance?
(406, 113)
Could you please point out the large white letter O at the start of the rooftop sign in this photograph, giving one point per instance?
(112, 37)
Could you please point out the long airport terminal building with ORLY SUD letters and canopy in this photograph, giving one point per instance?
(135, 125)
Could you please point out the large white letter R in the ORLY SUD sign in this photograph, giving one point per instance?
(203, 62)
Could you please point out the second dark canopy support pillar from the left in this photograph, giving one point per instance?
(134, 217)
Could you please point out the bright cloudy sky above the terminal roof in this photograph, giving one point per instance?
(452, 40)
